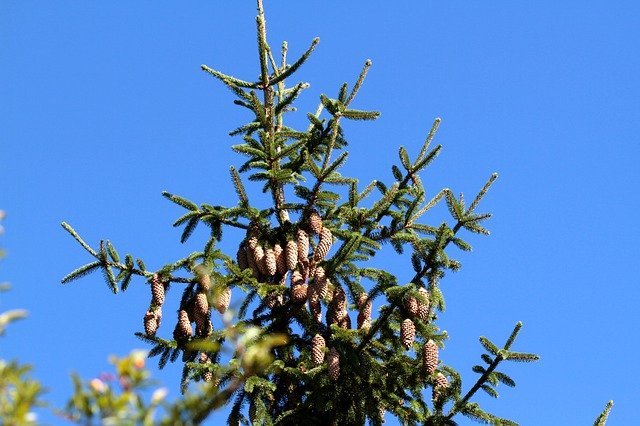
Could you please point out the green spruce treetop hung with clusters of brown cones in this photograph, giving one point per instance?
(306, 344)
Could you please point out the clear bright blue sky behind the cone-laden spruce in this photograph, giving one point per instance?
(103, 106)
